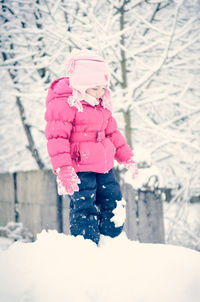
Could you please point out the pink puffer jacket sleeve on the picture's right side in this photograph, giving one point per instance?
(123, 150)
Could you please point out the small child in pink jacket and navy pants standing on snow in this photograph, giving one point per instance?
(83, 141)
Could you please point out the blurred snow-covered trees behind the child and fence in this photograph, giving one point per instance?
(153, 51)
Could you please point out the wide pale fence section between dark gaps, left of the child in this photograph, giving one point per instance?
(37, 200)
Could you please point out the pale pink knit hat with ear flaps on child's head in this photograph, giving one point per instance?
(86, 70)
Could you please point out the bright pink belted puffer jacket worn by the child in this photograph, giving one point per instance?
(88, 140)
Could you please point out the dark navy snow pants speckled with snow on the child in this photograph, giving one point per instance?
(91, 208)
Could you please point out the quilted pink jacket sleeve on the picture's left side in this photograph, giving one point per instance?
(59, 117)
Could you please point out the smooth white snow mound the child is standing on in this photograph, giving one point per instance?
(63, 268)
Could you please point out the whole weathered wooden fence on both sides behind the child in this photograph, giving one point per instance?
(31, 198)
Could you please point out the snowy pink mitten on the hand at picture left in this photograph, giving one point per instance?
(67, 180)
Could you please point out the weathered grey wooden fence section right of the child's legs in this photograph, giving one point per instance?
(144, 214)
